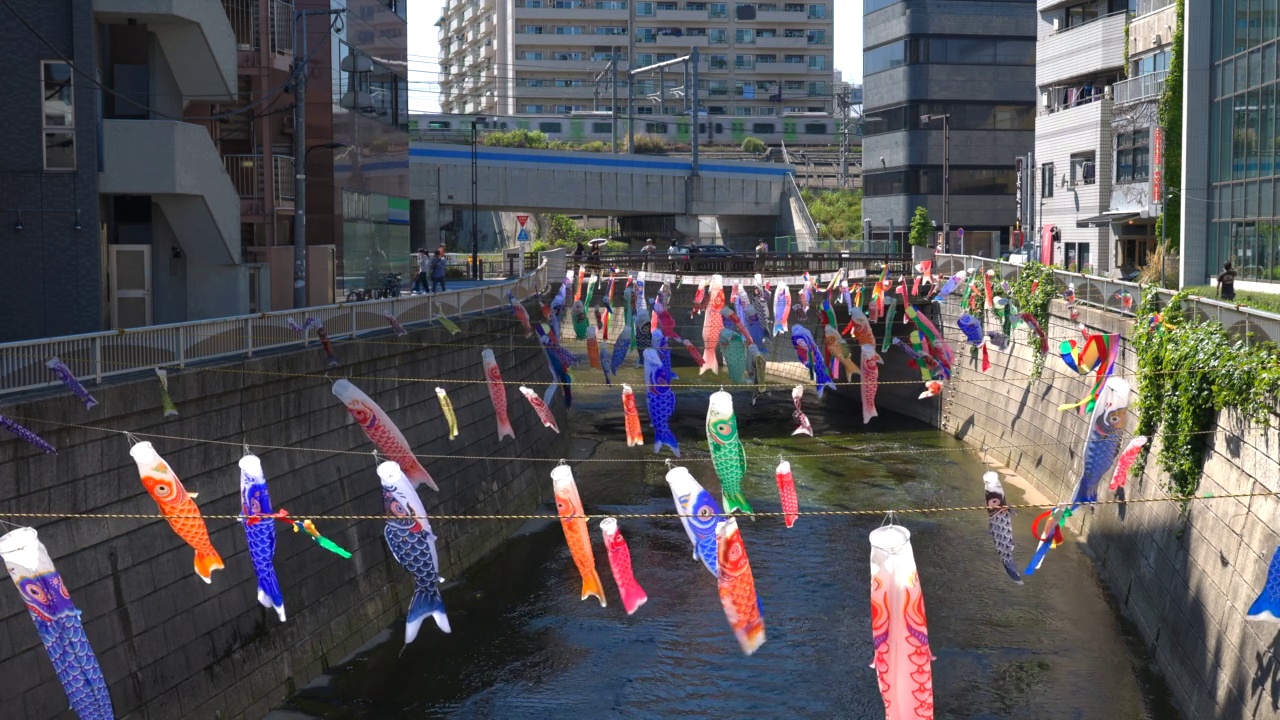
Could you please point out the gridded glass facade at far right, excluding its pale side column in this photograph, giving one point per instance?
(1244, 142)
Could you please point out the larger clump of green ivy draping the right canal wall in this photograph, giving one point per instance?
(1188, 372)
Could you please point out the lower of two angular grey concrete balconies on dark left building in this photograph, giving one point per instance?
(180, 168)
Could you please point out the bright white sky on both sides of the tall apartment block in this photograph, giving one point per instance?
(424, 51)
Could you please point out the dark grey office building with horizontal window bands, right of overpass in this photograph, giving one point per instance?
(929, 66)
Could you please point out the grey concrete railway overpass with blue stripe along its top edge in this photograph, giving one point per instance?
(744, 198)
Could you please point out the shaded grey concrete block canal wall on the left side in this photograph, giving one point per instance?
(172, 646)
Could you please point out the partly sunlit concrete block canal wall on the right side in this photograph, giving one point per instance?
(1186, 581)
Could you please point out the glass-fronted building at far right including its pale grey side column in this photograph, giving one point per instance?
(1231, 145)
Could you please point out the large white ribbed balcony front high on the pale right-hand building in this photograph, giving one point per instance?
(1085, 51)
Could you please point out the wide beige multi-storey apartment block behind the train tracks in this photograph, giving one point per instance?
(546, 57)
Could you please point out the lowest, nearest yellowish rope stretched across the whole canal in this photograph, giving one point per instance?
(653, 516)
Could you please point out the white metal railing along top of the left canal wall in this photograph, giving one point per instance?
(95, 357)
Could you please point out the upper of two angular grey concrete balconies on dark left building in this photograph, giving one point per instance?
(196, 38)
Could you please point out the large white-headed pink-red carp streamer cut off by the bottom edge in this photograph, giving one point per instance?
(900, 631)
